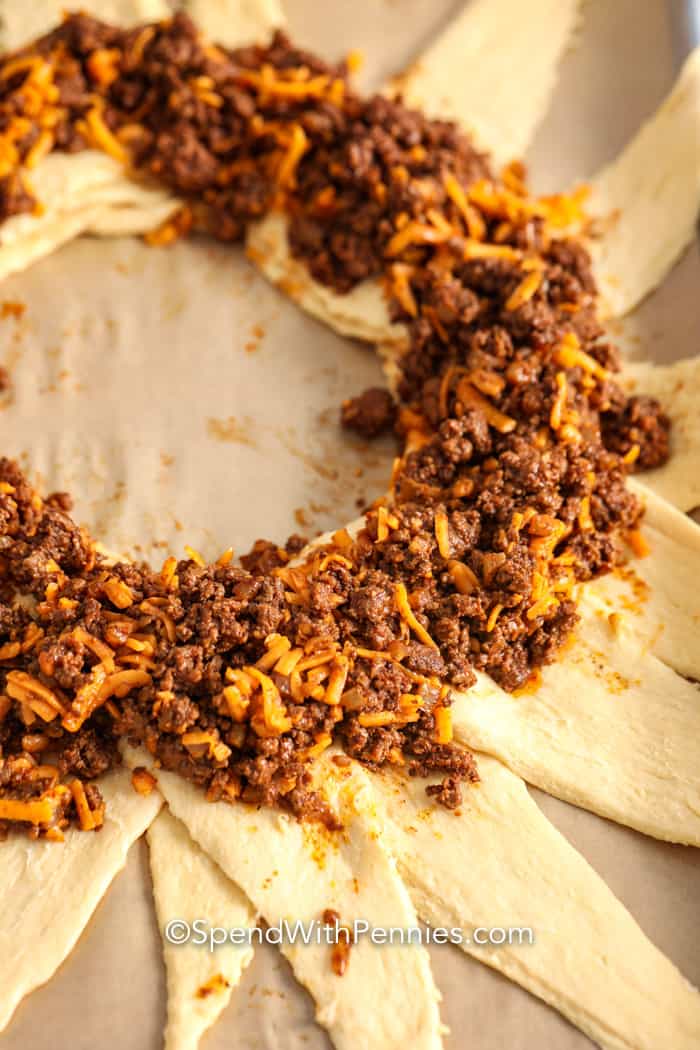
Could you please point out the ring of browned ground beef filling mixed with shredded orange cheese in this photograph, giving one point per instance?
(510, 491)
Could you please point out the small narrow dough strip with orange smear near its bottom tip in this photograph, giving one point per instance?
(188, 886)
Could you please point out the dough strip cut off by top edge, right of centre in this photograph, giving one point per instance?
(494, 71)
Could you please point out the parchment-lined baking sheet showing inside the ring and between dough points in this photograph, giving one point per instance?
(183, 401)
